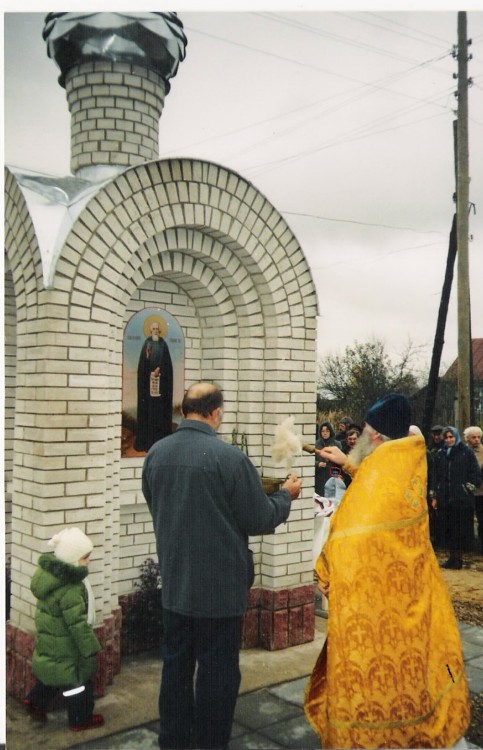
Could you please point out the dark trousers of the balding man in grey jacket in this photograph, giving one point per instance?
(198, 712)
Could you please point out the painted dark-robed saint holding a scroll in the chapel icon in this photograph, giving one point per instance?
(154, 390)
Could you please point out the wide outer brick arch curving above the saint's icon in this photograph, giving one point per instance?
(152, 199)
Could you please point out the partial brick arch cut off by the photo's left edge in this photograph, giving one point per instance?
(22, 250)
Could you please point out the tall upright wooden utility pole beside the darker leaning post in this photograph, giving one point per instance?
(462, 230)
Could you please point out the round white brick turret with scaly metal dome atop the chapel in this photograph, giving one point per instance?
(115, 68)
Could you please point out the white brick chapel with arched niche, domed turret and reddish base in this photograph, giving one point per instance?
(124, 233)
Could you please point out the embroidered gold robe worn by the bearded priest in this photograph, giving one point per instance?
(391, 672)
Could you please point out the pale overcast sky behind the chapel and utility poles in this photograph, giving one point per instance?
(343, 120)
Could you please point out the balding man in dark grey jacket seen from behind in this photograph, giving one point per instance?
(206, 498)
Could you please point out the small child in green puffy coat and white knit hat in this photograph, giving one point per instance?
(65, 644)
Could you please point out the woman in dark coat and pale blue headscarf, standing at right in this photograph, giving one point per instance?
(456, 474)
